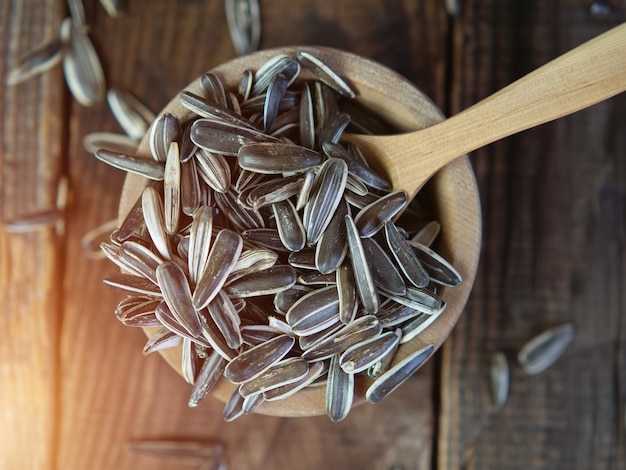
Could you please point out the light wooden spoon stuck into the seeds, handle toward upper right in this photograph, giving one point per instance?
(578, 79)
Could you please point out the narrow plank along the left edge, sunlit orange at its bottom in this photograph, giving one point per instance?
(31, 161)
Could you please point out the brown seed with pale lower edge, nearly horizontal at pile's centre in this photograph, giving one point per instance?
(266, 282)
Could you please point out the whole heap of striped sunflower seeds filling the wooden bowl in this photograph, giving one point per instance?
(267, 249)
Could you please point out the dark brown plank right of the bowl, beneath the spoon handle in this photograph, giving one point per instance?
(553, 202)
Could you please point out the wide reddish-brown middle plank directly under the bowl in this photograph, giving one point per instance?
(109, 393)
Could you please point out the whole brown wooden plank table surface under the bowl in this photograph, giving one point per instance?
(73, 384)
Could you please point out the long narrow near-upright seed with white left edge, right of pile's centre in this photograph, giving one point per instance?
(362, 274)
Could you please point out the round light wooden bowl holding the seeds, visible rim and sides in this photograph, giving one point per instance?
(452, 193)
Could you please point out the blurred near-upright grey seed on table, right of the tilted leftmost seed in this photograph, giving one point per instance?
(81, 65)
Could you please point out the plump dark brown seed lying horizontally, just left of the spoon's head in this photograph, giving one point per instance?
(276, 158)
